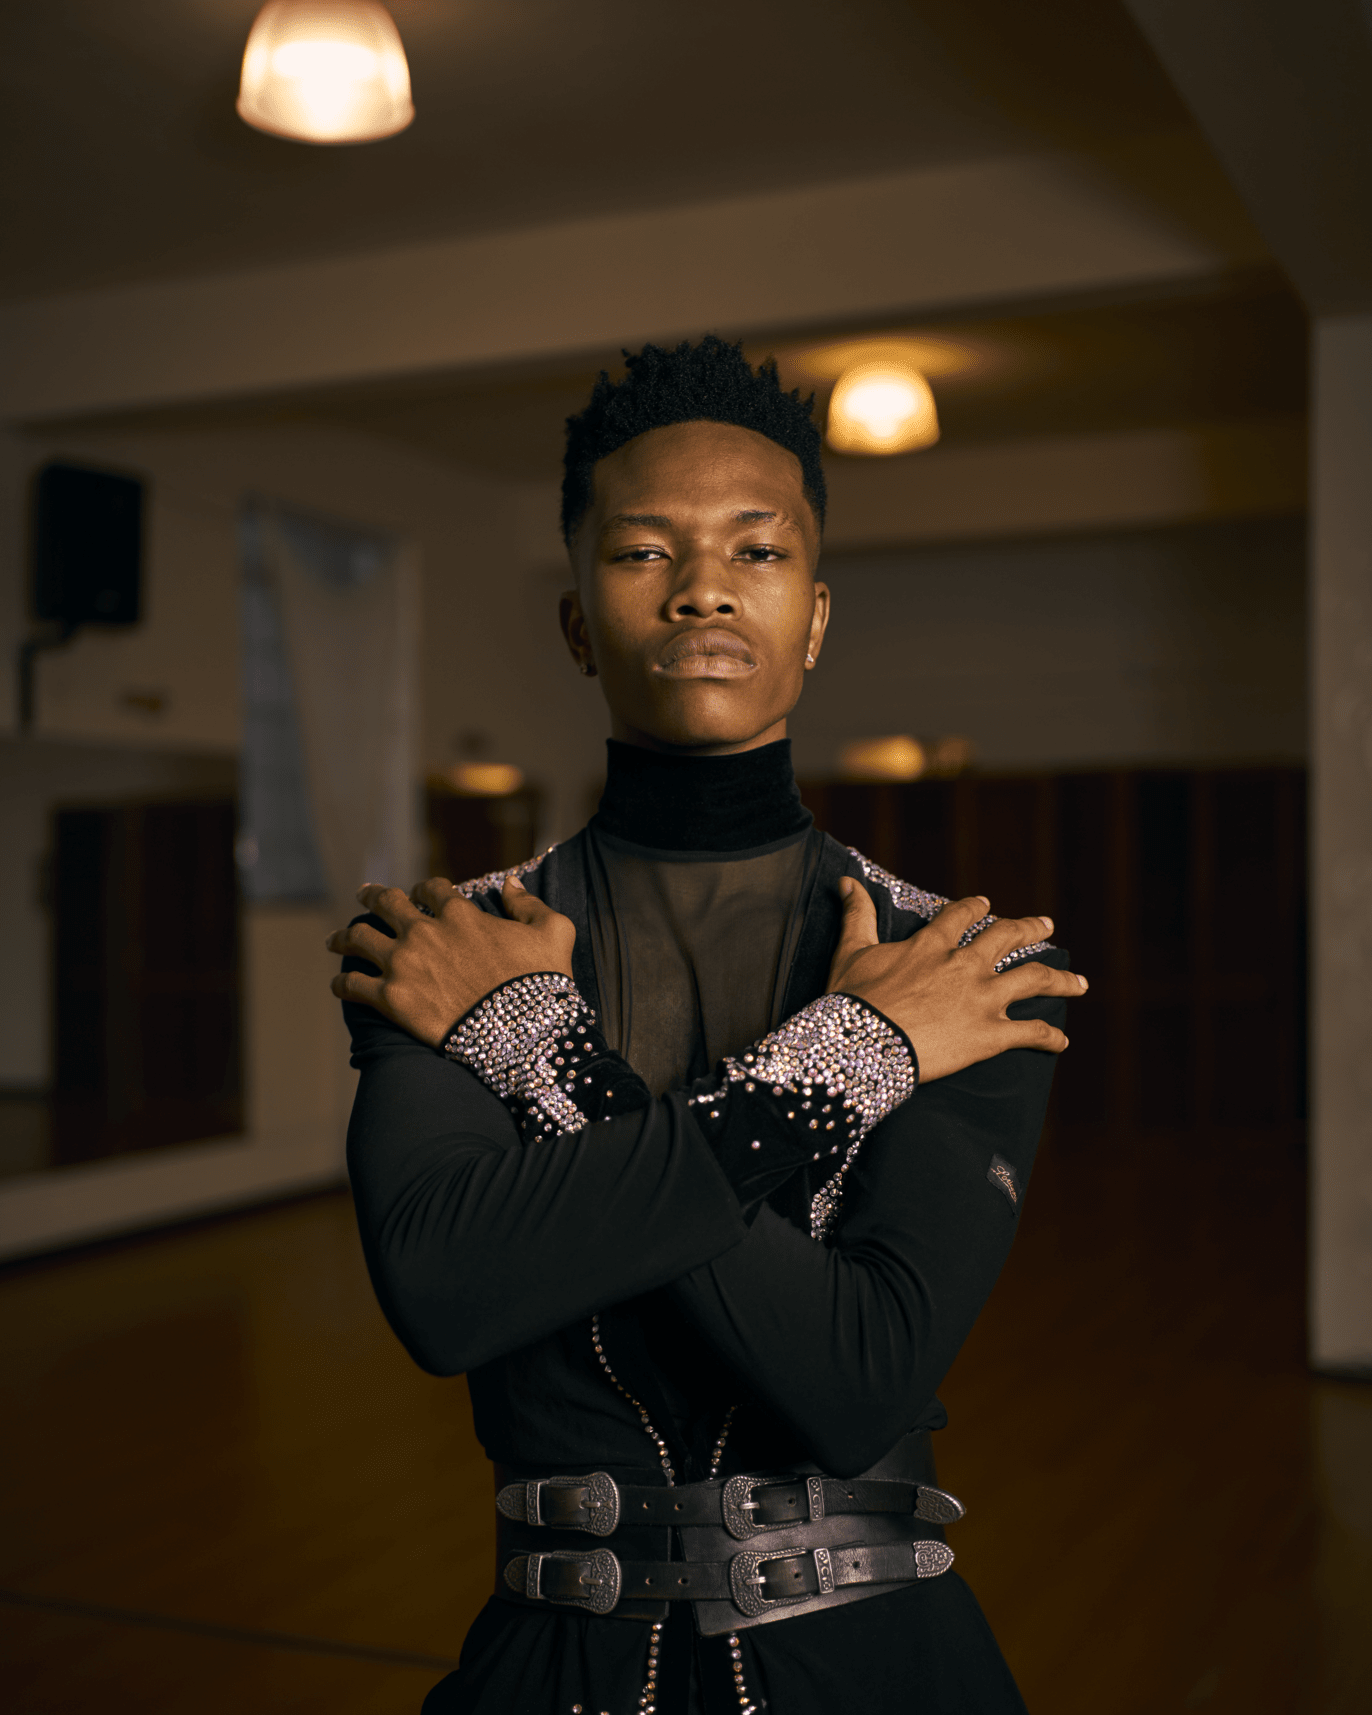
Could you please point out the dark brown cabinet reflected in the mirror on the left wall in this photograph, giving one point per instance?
(148, 1037)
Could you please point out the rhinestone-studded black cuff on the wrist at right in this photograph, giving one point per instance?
(824, 1080)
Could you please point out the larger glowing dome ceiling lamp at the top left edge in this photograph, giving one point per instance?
(325, 71)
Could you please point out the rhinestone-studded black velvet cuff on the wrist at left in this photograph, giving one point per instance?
(536, 1045)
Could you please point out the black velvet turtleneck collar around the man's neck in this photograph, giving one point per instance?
(702, 803)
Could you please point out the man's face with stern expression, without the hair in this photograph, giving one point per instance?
(695, 589)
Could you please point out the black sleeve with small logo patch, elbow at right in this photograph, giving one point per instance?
(848, 1342)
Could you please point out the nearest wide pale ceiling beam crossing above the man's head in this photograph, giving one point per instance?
(893, 246)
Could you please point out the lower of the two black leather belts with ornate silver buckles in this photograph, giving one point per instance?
(757, 1582)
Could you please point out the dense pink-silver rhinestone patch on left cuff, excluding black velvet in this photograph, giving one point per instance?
(526, 1042)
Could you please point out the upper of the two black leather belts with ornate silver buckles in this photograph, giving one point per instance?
(745, 1507)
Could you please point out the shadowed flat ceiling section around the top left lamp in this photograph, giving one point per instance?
(126, 160)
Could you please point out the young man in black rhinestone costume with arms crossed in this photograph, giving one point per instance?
(701, 1141)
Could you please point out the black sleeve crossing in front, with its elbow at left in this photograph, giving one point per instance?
(479, 1243)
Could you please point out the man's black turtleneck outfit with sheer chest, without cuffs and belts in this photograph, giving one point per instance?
(706, 910)
